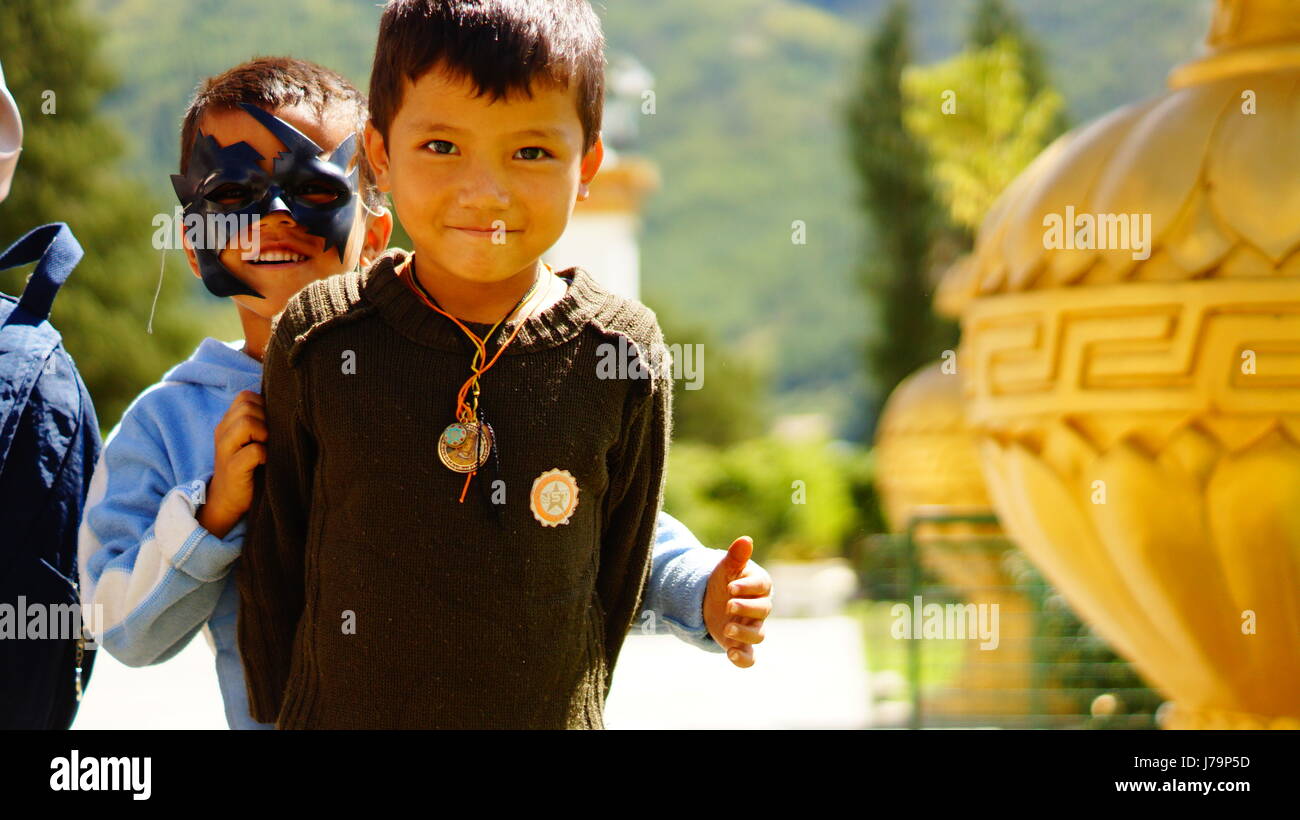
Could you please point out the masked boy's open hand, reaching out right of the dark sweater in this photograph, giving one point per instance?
(738, 601)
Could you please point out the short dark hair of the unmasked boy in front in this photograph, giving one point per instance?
(502, 46)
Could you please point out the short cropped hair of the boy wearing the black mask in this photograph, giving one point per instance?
(274, 84)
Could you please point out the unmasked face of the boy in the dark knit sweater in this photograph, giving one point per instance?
(483, 189)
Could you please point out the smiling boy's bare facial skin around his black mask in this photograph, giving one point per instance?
(292, 258)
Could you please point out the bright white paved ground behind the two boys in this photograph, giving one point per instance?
(811, 675)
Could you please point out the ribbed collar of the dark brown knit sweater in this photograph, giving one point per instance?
(410, 316)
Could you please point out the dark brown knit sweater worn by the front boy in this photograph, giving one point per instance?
(371, 597)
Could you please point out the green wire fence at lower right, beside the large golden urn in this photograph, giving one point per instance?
(1045, 667)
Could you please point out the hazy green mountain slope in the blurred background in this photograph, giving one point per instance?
(747, 135)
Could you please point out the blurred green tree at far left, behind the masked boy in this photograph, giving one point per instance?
(70, 172)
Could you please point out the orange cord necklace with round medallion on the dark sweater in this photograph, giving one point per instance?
(467, 444)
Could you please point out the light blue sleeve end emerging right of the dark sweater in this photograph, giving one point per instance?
(679, 576)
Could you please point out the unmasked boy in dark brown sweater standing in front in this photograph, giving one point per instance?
(458, 509)
